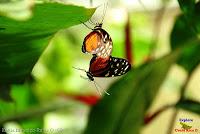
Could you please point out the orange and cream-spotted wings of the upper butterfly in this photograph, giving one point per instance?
(98, 42)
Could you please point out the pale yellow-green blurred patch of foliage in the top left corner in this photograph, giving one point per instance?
(18, 9)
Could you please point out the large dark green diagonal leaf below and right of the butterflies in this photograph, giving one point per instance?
(123, 111)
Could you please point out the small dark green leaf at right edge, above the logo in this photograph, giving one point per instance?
(190, 105)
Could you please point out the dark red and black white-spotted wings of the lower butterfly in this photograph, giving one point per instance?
(108, 67)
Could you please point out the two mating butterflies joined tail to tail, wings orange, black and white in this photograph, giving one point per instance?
(99, 44)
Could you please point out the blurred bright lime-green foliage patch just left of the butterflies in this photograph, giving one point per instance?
(56, 68)
